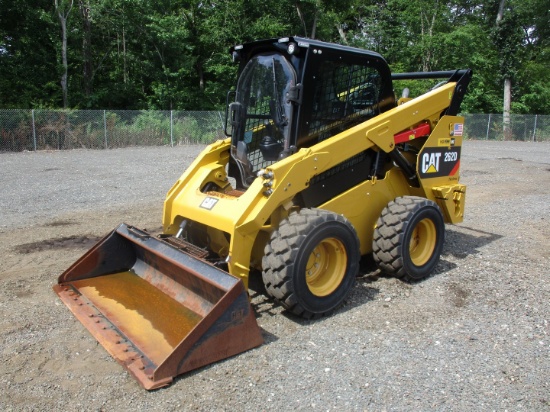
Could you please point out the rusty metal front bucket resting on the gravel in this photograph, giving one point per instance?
(157, 310)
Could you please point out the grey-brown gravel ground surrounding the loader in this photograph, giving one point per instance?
(473, 336)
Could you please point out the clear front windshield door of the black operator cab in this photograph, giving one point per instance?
(262, 114)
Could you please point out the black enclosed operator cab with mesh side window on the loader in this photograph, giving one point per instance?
(294, 92)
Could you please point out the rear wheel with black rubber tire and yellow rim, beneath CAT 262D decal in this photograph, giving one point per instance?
(408, 238)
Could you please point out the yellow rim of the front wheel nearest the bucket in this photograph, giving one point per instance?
(326, 267)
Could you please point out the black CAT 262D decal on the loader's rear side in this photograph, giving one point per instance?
(438, 161)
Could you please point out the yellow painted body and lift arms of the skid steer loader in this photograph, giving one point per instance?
(245, 216)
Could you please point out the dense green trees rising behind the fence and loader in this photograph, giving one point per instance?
(173, 54)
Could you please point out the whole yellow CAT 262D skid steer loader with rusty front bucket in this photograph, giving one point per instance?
(322, 164)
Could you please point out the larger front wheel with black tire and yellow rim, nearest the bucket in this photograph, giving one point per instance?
(326, 246)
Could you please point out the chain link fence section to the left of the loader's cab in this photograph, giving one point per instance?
(105, 129)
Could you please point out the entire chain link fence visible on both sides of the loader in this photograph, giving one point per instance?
(105, 129)
